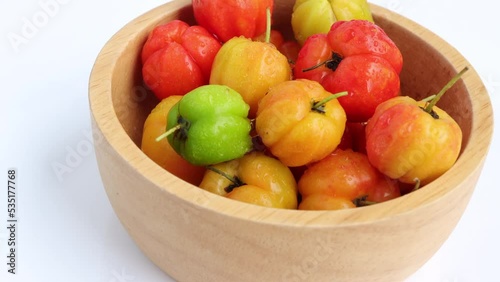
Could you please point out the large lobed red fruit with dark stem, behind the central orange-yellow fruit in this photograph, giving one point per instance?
(355, 56)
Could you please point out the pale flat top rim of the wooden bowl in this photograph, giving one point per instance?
(106, 121)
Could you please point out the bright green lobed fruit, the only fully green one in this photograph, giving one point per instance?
(210, 125)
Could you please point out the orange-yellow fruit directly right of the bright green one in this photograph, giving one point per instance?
(296, 127)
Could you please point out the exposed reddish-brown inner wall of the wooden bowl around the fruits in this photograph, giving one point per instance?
(425, 71)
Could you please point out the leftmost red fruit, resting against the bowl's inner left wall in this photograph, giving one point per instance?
(177, 58)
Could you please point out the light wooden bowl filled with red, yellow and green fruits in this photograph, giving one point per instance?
(196, 236)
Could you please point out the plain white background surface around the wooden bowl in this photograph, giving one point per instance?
(67, 230)
